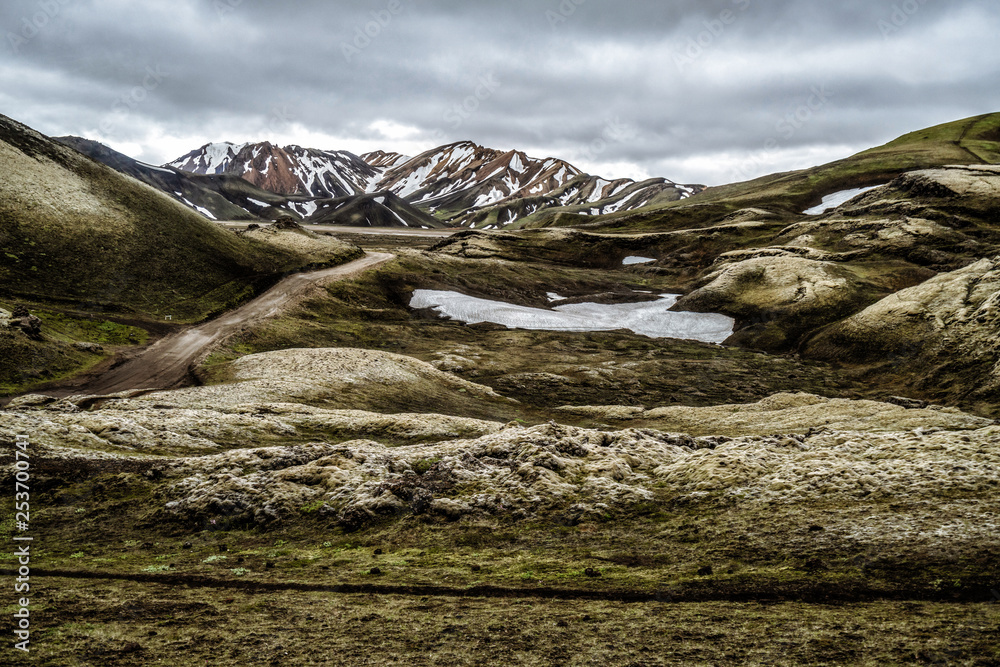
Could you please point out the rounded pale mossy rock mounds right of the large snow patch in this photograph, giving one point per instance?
(819, 270)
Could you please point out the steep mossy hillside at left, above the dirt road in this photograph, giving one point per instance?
(78, 232)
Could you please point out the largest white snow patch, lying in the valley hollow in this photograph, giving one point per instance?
(650, 318)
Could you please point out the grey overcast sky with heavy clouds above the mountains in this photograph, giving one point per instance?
(695, 91)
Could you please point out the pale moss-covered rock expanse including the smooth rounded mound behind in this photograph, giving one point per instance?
(271, 447)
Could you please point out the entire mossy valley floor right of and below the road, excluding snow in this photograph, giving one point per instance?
(356, 483)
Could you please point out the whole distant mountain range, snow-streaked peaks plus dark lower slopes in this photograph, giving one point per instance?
(457, 185)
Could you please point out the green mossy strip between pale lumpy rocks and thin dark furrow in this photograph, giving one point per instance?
(681, 549)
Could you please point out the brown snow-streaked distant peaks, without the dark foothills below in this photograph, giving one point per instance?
(461, 184)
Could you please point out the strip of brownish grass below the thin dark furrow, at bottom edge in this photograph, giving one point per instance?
(104, 623)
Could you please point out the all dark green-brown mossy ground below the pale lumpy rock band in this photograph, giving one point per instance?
(669, 583)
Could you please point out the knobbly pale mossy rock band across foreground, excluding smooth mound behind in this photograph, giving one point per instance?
(513, 473)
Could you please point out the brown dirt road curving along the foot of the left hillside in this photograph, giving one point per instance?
(166, 363)
